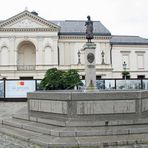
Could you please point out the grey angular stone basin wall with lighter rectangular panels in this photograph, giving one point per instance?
(106, 104)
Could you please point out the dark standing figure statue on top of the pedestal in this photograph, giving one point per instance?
(89, 29)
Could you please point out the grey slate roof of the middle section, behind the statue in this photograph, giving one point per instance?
(71, 27)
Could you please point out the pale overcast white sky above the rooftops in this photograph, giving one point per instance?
(121, 17)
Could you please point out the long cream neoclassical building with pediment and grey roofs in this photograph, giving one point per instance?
(29, 45)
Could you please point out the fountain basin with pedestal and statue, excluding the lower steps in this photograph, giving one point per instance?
(91, 105)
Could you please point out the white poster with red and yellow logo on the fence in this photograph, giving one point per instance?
(19, 88)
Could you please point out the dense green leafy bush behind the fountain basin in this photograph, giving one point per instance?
(57, 79)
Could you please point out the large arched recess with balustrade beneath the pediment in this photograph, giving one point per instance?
(26, 56)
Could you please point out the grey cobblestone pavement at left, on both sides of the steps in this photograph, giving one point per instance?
(7, 109)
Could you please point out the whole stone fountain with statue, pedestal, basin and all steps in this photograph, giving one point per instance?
(84, 118)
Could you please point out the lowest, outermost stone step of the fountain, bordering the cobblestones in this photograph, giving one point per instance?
(86, 141)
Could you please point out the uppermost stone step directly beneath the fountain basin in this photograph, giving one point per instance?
(81, 123)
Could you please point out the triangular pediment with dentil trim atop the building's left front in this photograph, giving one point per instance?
(29, 21)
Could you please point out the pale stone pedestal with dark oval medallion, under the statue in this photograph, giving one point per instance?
(90, 66)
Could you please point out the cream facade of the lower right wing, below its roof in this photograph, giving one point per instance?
(135, 57)
